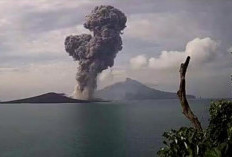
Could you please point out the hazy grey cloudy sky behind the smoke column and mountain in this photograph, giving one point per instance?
(158, 37)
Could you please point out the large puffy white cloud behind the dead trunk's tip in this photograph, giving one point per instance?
(201, 51)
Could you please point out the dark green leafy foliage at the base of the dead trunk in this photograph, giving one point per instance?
(215, 141)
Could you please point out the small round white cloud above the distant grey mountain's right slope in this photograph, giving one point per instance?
(138, 62)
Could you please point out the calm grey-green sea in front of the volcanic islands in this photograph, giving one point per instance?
(116, 129)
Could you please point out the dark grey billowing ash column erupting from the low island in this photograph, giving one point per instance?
(96, 53)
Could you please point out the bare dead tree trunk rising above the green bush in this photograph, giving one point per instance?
(182, 96)
